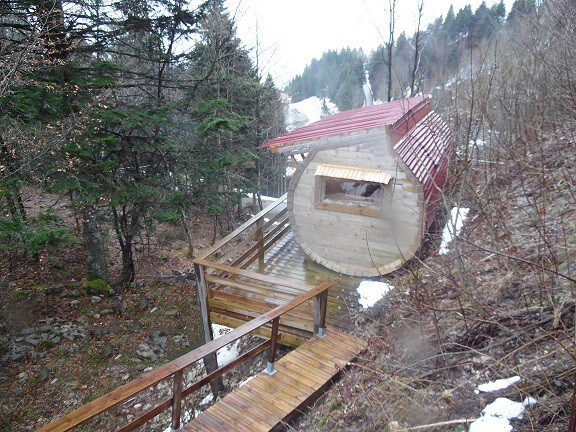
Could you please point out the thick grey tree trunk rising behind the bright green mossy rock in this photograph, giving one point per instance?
(96, 259)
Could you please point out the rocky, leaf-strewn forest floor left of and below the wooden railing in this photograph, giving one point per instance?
(66, 343)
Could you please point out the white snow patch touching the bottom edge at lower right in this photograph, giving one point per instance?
(497, 415)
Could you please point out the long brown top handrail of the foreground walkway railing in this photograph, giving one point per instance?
(121, 394)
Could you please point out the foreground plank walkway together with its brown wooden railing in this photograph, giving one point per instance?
(264, 403)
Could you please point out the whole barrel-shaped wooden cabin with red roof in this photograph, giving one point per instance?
(368, 187)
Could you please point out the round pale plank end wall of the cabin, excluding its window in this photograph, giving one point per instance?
(350, 243)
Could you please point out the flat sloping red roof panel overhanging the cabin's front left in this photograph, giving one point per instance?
(384, 115)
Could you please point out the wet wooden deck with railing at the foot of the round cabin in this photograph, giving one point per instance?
(275, 269)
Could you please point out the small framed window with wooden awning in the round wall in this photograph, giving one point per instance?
(350, 190)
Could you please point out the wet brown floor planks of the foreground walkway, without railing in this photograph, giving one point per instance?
(267, 402)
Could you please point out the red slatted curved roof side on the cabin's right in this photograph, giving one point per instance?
(426, 150)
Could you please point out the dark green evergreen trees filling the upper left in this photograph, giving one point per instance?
(137, 112)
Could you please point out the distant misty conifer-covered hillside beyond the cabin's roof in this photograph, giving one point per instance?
(442, 52)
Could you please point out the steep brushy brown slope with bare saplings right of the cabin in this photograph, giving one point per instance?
(499, 305)
